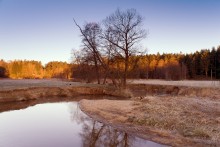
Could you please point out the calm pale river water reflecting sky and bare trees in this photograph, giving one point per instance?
(60, 124)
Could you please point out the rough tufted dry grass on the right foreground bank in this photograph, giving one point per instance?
(190, 117)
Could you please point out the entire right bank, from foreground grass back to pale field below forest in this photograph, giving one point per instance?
(171, 113)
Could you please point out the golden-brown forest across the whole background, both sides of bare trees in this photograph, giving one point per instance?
(201, 65)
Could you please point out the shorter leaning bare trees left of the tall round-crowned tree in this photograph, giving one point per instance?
(91, 52)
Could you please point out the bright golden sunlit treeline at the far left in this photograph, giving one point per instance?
(19, 69)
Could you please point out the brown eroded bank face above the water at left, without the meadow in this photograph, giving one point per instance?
(62, 92)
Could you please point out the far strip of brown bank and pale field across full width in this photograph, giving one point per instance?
(25, 89)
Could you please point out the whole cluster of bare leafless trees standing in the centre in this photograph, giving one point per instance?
(117, 43)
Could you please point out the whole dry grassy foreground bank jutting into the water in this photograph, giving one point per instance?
(175, 121)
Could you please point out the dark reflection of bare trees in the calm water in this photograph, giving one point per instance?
(95, 133)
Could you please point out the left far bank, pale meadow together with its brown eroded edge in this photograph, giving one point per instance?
(21, 90)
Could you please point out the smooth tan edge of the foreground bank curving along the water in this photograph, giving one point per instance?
(107, 112)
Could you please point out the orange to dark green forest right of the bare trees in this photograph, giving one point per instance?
(204, 64)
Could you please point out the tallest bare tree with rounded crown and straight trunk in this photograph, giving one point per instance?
(123, 29)
